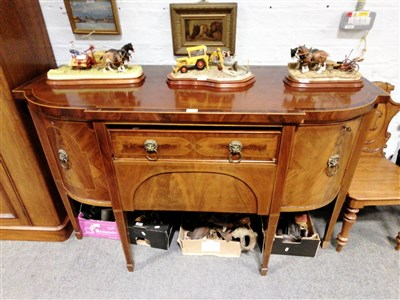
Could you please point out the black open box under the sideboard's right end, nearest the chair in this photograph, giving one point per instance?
(308, 246)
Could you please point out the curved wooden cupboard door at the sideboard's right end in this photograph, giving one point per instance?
(308, 185)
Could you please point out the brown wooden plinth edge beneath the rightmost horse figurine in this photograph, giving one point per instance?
(321, 84)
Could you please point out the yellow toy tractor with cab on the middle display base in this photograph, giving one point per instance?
(197, 59)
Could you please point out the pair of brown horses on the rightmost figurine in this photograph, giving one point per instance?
(310, 58)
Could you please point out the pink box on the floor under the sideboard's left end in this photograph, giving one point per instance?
(98, 229)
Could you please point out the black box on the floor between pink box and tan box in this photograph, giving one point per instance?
(153, 235)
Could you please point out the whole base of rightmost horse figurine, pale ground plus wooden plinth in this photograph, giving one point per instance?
(328, 79)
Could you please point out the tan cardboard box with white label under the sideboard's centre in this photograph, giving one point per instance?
(220, 248)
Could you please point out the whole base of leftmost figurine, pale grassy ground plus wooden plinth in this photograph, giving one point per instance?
(66, 75)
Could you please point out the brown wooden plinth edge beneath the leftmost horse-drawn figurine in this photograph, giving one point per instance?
(104, 81)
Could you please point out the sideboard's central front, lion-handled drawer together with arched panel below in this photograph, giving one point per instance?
(195, 170)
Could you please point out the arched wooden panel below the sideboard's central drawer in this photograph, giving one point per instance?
(185, 191)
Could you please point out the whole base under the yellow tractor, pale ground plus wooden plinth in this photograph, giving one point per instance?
(212, 78)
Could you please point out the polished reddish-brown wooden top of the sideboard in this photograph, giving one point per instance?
(268, 100)
